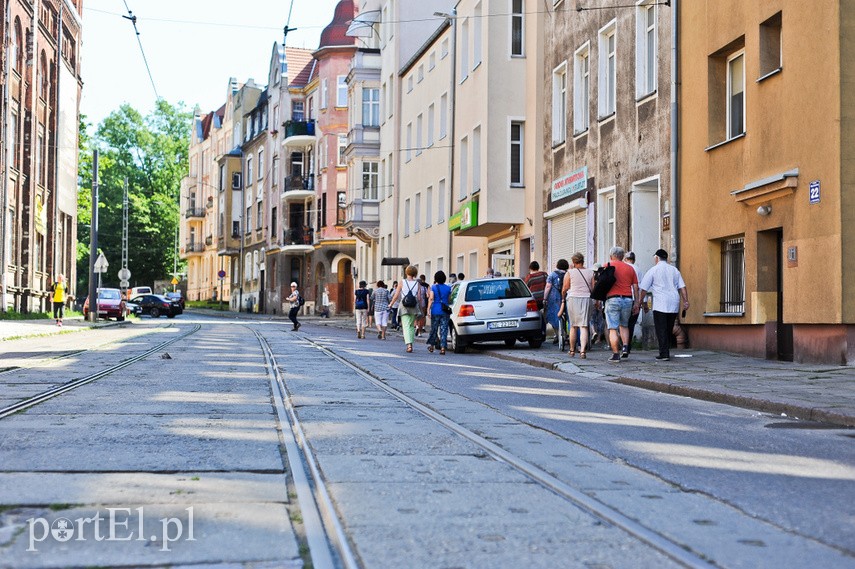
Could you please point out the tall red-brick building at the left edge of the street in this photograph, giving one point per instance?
(40, 124)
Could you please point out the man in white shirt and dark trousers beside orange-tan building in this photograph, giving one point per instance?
(666, 285)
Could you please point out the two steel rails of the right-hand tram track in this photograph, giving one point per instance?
(676, 551)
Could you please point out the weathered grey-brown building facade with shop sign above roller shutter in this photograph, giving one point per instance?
(607, 142)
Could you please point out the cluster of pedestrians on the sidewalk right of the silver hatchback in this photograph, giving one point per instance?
(568, 293)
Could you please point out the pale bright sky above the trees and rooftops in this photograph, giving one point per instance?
(192, 48)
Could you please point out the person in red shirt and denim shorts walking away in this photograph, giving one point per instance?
(620, 303)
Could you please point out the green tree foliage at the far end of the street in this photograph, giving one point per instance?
(151, 153)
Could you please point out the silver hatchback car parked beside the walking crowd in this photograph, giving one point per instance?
(490, 310)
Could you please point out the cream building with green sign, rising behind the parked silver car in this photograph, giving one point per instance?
(497, 106)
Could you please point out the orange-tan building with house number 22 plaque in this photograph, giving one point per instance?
(767, 207)
